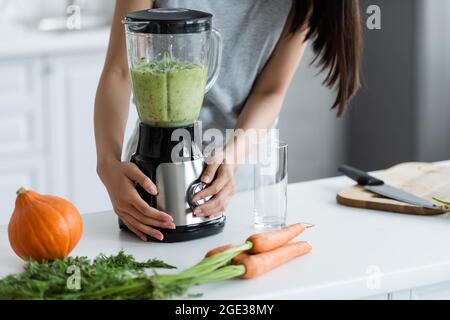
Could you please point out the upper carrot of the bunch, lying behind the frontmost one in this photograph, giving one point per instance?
(267, 241)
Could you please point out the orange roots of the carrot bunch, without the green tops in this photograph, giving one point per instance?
(267, 250)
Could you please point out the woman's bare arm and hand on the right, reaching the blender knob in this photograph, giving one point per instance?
(260, 112)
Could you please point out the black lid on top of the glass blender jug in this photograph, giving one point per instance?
(168, 21)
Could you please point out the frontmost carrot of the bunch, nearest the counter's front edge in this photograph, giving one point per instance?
(256, 265)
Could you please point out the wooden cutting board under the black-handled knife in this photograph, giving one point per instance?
(421, 179)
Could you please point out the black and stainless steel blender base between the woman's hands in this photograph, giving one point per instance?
(177, 180)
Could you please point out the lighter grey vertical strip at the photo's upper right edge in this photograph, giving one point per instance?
(433, 81)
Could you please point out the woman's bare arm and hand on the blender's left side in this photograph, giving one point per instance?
(110, 117)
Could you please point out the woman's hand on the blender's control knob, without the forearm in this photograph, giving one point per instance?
(220, 177)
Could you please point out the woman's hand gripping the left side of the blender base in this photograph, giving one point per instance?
(120, 179)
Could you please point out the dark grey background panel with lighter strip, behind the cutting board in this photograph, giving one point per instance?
(402, 112)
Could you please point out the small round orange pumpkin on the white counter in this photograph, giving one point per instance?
(43, 227)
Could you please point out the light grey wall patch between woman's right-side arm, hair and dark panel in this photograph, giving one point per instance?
(316, 137)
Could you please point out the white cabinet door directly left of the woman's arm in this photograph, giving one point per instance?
(71, 82)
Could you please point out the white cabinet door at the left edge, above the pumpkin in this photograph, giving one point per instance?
(22, 142)
